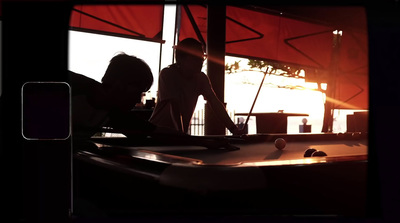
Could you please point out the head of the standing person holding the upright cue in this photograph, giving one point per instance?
(190, 55)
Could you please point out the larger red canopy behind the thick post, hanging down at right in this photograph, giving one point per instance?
(271, 37)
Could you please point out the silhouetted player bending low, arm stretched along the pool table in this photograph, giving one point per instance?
(108, 104)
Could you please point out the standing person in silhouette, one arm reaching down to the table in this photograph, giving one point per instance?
(179, 87)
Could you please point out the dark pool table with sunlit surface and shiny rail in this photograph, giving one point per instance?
(121, 176)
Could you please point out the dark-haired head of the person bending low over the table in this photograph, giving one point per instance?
(126, 78)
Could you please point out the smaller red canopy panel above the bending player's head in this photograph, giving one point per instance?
(132, 21)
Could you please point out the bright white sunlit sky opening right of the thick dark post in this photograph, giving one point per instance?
(292, 95)
